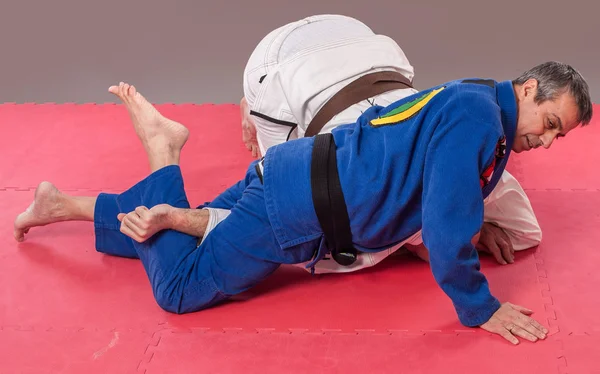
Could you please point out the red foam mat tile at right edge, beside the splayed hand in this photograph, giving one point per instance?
(569, 258)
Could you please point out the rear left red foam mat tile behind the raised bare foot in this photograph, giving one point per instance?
(95, 147)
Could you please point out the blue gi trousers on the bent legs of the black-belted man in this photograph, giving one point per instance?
(237, 254)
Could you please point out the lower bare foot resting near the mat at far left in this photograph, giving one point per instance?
(46, 208)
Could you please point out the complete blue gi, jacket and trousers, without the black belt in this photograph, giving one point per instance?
(424, 162)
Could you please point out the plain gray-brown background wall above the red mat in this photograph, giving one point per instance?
(195, 51)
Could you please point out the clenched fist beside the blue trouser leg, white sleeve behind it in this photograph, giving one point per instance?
(142, 223)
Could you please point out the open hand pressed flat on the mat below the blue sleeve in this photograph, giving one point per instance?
(511, 321)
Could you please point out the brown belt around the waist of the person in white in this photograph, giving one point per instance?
(361, 89)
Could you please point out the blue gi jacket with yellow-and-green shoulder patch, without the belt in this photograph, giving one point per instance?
(424, 162)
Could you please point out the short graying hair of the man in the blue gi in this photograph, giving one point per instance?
(555, 78)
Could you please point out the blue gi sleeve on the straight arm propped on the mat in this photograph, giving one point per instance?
(458, 154)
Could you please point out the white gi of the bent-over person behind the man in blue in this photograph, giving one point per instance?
(298, 67)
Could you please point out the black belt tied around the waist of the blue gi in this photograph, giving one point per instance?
(328, 200)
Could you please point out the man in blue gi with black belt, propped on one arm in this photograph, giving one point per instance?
(425, 162)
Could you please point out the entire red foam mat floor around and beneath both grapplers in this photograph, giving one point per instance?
(65, 308)
